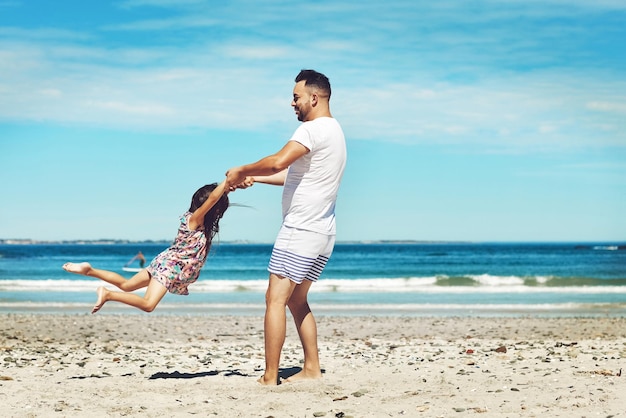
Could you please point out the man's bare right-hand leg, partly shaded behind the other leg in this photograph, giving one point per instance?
(307, 330)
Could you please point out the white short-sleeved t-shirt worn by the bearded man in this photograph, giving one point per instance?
(312, 181)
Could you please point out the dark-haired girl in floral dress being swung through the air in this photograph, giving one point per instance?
(175, 268)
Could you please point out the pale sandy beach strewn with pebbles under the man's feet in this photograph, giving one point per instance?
(154, 365)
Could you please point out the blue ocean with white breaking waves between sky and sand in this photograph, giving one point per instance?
(413, 279)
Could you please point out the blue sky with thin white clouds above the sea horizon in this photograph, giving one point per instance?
(473, 121)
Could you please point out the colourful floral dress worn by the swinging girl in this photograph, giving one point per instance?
(179, 266)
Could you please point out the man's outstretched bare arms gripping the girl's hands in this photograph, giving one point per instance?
(270, 166)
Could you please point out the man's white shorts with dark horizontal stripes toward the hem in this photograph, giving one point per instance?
(300, 254)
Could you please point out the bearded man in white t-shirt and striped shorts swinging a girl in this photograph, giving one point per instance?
(310, 167)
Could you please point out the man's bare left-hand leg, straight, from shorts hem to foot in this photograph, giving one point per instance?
(278, 293)
